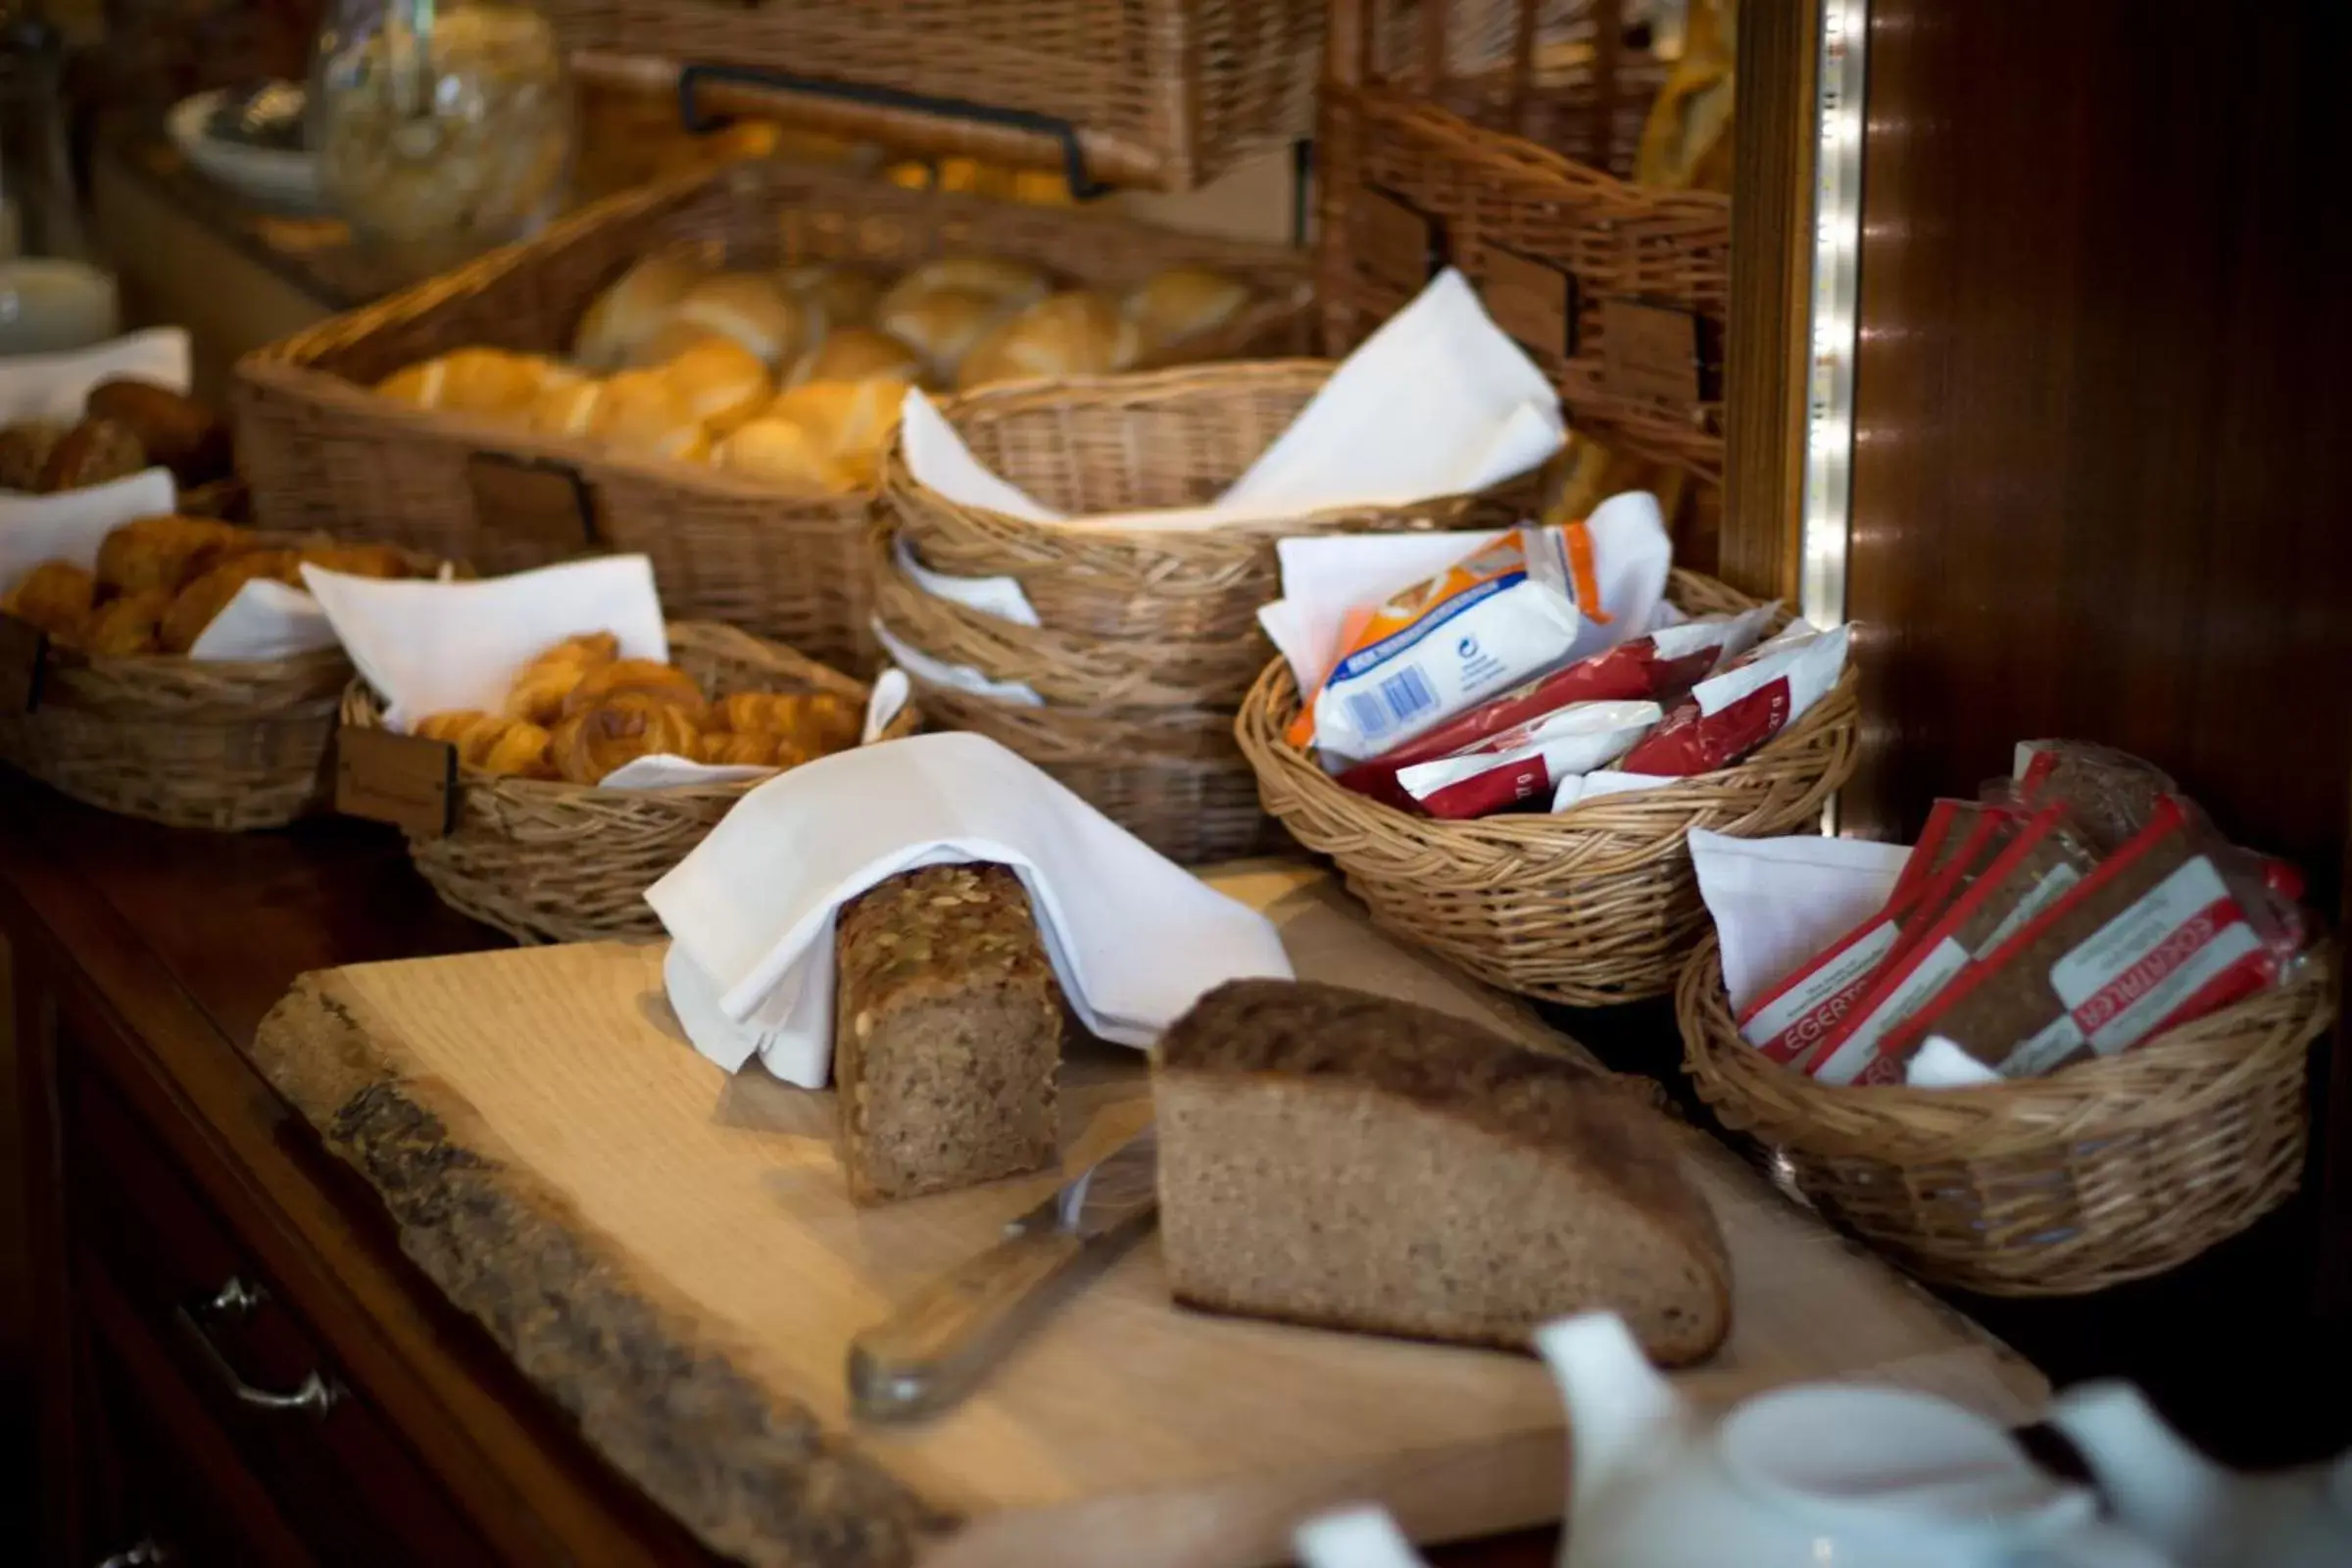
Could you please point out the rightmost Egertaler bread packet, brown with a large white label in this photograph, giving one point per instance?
(2149, 942)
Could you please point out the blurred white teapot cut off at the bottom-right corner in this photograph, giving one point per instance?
(2196, 1510)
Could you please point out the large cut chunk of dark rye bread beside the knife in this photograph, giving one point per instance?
(1354, 1162)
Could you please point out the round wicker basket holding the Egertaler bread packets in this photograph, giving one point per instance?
(2104, 1172)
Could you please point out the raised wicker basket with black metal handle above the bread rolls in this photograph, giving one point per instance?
(1161, 93)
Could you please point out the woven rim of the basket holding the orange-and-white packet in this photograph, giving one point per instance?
(1274, 702)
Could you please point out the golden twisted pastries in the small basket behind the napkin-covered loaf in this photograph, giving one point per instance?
(580, 711)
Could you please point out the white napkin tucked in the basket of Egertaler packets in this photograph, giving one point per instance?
(1782, 902)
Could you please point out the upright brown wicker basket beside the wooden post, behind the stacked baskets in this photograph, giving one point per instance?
(1502, 133)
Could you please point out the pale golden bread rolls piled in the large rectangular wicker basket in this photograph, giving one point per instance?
(796, 377)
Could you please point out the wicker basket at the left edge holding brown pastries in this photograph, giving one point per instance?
(185, 742)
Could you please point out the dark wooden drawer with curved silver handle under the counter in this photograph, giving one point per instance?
(187, 1294)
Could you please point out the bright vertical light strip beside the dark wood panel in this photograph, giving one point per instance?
(1838, 234)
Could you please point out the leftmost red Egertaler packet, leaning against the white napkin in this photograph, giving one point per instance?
(1793, 1019)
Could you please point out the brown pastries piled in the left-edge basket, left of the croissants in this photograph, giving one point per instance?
(163, 579)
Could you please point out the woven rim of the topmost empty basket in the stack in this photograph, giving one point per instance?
(1008, 398)
